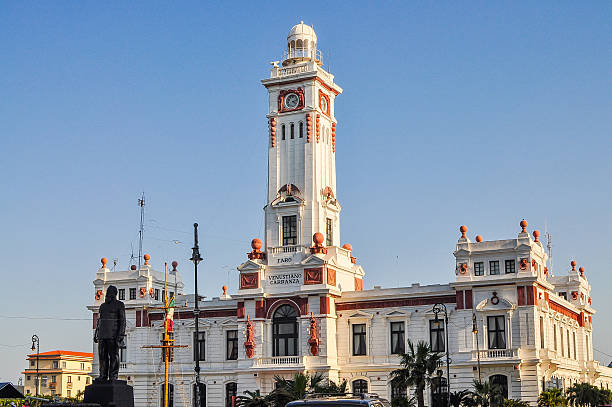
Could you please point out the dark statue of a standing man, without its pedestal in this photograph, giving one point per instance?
(110, 335)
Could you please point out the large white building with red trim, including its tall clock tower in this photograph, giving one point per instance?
(534, 330)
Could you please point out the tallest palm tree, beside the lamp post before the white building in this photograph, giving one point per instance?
(417, 367)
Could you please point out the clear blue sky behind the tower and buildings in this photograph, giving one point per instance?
(476, 113)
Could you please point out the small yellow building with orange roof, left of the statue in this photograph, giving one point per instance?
(62, 372)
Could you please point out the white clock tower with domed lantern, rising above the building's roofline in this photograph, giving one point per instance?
(302, 214)
